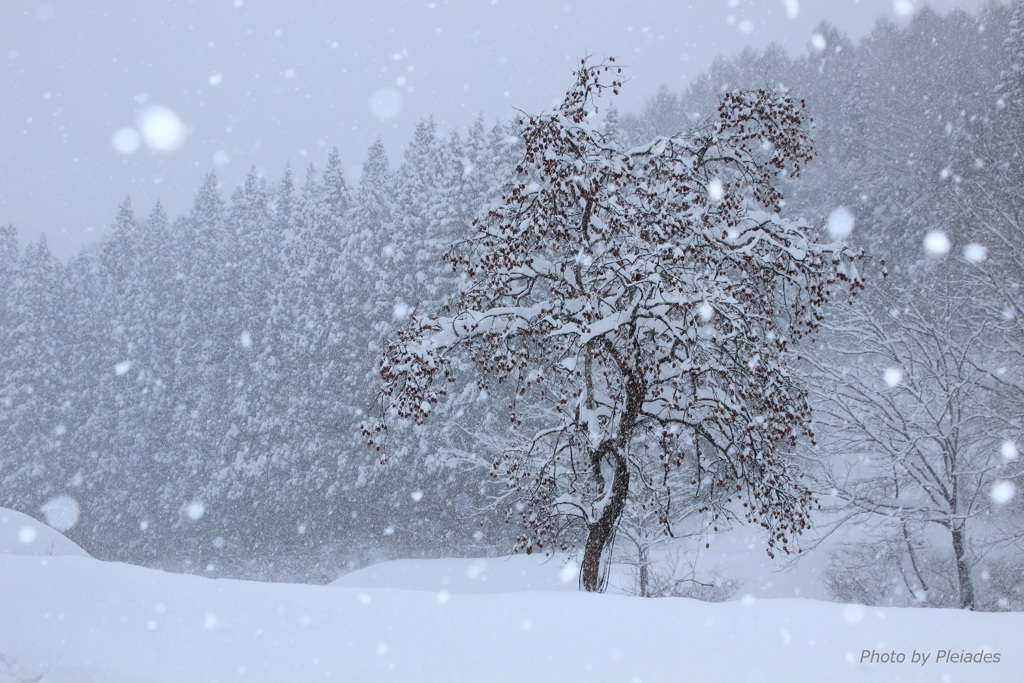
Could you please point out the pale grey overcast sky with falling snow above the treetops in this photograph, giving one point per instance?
(102, 100)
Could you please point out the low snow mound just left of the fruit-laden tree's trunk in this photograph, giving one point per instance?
(468, 576)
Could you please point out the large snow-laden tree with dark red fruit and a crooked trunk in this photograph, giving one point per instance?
(642, 305)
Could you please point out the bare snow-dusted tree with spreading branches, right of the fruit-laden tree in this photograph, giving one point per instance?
(913, 436)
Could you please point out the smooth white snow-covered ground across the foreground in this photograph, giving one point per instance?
(68, 618)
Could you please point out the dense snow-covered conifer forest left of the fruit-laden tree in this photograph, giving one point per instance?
(226, 358)
